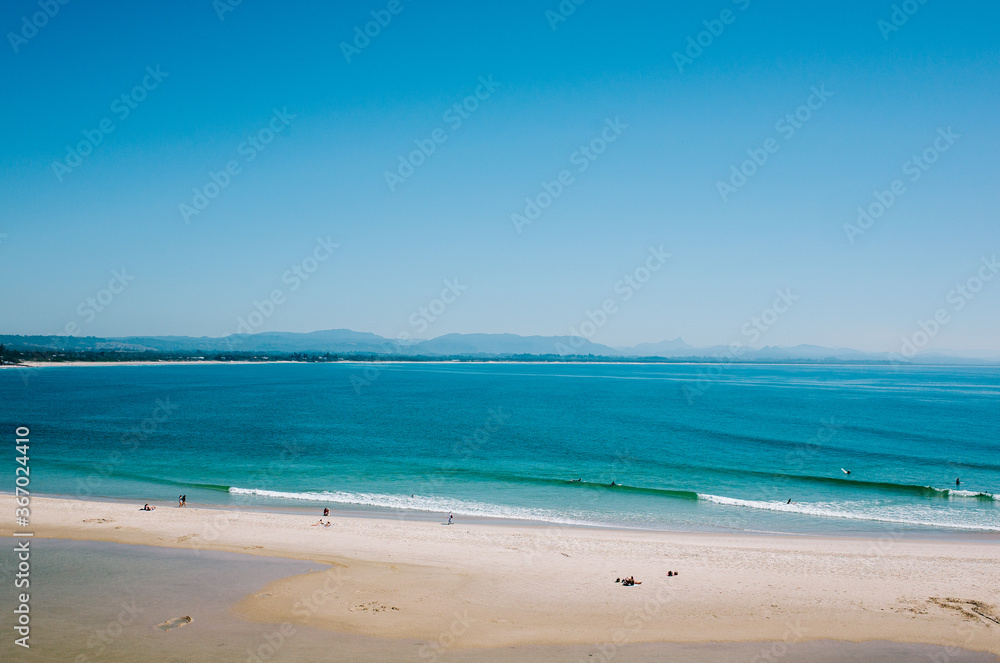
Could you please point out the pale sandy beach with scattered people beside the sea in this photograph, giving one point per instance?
(483, 585)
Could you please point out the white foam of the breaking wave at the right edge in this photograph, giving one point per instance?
(903, 515)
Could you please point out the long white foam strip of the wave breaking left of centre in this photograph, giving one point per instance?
(423, 503)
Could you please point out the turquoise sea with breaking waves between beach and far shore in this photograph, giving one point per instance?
(690, 447)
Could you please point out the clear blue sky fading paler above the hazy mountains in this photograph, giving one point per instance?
(629, 172)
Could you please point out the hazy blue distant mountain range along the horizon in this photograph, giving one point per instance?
(477, 346)
